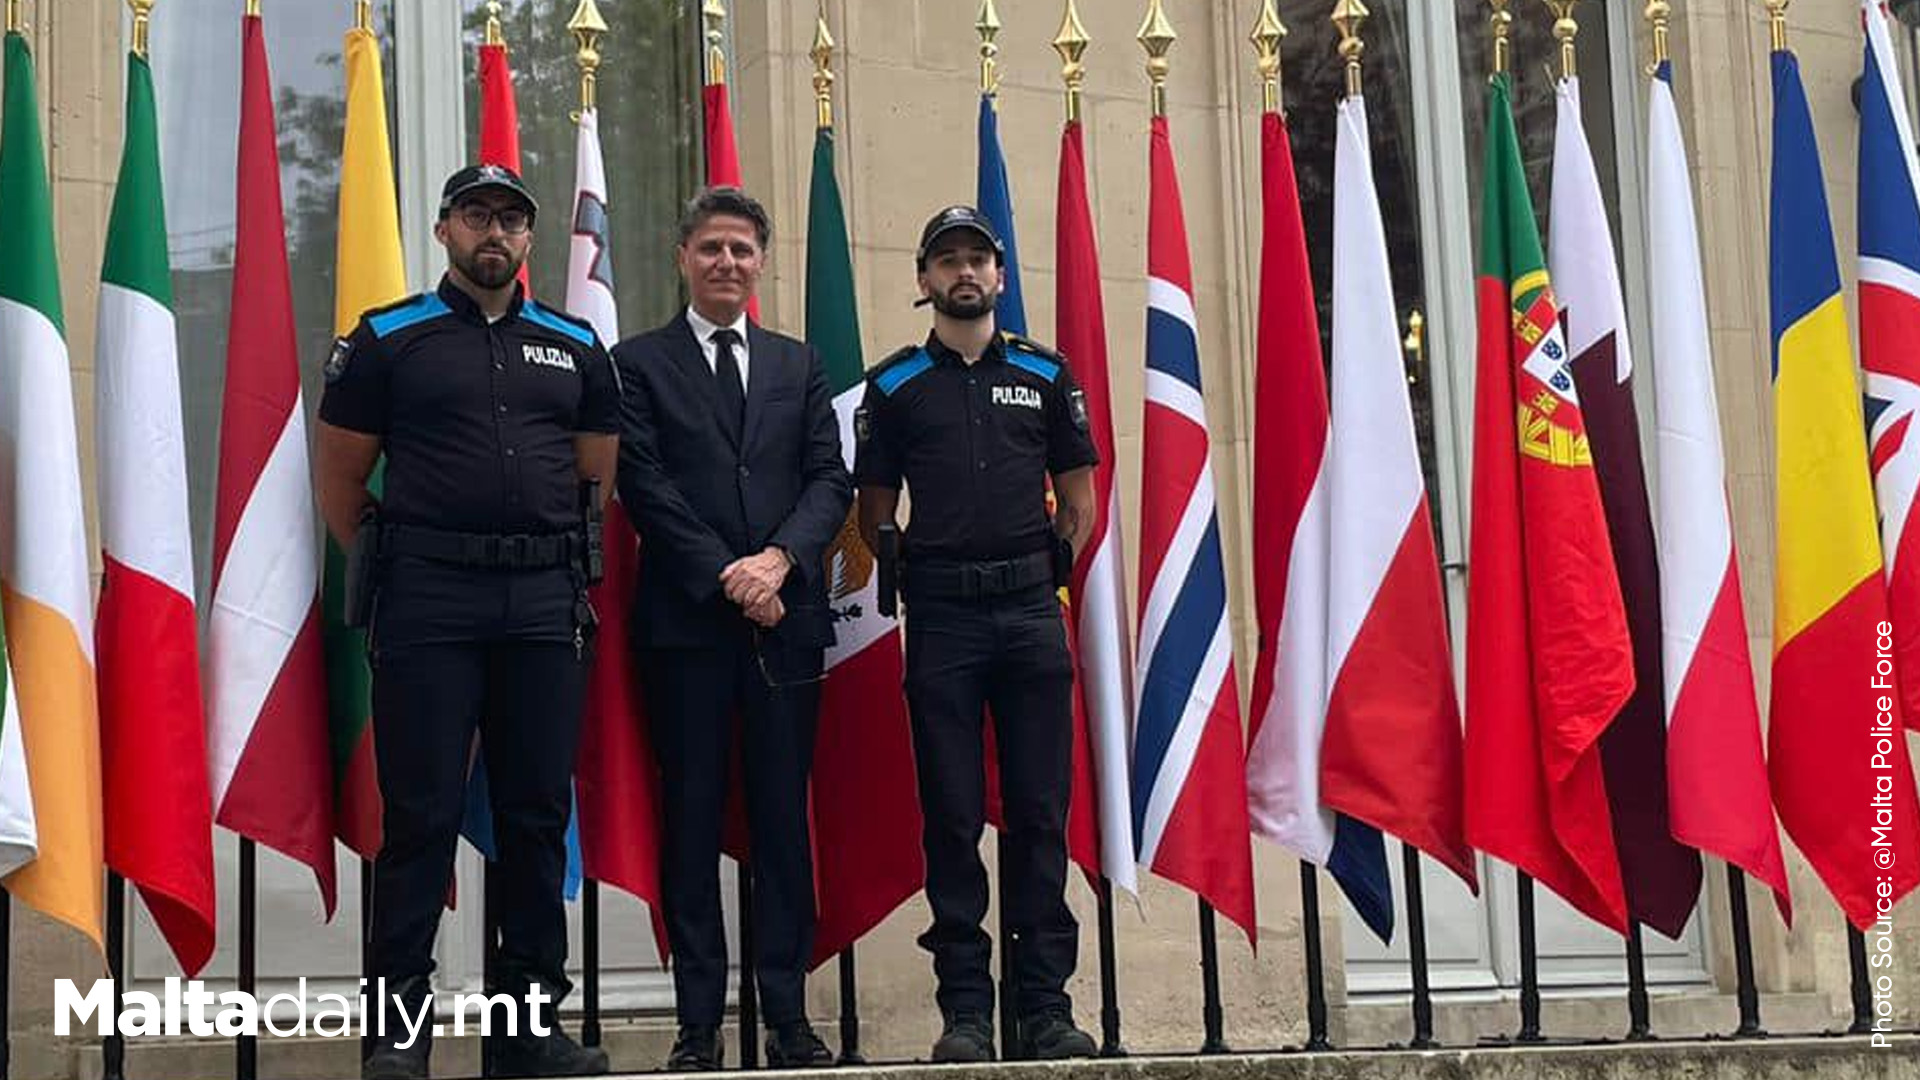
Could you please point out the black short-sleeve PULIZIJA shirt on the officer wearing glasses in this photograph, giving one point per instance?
(477, 420)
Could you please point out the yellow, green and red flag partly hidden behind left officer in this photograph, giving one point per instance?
(370, 274)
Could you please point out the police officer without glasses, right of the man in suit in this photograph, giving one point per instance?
(974, 422)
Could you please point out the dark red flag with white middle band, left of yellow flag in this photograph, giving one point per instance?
(270, 752)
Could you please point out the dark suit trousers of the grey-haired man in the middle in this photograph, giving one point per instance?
(694, 699)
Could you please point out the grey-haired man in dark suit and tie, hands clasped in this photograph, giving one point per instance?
(732, 472)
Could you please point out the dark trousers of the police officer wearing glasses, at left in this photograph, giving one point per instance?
(525, 700)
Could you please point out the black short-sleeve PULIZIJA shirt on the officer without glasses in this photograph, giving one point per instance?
(974, 445)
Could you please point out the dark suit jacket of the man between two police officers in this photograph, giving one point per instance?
(700, 503)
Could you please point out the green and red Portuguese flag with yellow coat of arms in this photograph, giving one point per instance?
(1548, 654)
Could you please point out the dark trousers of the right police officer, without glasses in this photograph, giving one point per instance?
(963, 658)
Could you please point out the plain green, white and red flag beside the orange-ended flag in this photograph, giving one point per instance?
(153, 725)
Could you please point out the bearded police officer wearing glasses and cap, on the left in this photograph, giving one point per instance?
(496, 418)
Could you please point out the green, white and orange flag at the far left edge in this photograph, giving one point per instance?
(43, 551)
